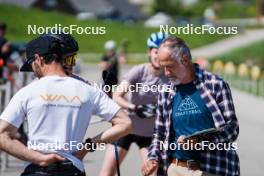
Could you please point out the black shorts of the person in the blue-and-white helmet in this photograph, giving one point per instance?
(141, 141)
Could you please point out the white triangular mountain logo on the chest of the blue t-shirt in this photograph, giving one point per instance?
(188, 107)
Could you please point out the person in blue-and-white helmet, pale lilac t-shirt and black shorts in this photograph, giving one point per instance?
(141, 105)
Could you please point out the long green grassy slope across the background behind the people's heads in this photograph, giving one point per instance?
(18, 19)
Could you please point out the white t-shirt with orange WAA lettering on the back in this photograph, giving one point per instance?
(58, 111)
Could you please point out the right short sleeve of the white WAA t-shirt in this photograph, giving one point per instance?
(104, 106)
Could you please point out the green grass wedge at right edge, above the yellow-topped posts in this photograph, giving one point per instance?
(252, 53)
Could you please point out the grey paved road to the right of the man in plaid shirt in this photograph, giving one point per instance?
(250, 114)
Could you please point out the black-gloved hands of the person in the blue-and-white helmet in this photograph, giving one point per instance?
(143, 111)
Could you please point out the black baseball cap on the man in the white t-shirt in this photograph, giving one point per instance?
(42, 45)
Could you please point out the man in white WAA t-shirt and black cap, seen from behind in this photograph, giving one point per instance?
(58, 109)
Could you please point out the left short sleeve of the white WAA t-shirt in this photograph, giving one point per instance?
(14, 112)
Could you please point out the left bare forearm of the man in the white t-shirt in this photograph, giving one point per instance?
(17, 149)
